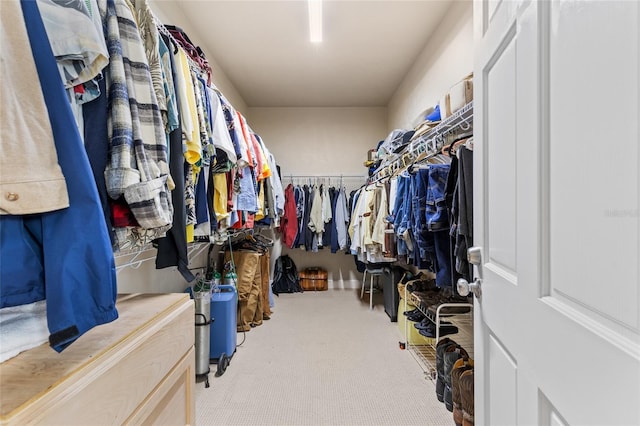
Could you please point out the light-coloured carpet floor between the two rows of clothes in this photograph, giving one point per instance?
(323, 359)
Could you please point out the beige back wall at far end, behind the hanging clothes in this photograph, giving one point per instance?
(322, 141)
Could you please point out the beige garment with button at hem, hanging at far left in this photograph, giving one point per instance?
(41, 187)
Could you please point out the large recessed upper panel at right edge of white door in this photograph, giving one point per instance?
(578, 35)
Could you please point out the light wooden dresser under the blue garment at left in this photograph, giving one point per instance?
(139, 369)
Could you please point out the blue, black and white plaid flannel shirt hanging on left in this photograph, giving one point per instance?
(137, 168)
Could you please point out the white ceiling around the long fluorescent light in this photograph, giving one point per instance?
(263, 47)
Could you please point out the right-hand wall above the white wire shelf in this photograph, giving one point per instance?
(445, 60)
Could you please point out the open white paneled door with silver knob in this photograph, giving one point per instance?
(563, 341)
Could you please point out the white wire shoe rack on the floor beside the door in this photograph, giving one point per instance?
(425, 353)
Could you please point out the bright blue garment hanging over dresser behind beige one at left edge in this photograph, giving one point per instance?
(64, 256)
